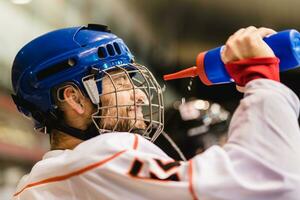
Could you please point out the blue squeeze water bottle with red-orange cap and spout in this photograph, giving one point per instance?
(211, 70)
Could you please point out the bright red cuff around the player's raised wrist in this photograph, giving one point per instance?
(243, 71)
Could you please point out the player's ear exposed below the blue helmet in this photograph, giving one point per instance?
(73, 98)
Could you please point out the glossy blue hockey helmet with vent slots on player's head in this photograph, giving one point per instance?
(67, 56)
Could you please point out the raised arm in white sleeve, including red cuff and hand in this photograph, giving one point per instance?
(261, 158)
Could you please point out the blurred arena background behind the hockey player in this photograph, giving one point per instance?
(164, 35)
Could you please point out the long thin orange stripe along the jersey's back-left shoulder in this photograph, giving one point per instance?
(69, 175)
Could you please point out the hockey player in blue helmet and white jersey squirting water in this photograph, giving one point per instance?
(103, 111)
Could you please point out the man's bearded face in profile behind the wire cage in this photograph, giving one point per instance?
(121, 103)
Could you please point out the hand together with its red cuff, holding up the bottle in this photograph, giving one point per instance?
(247, 56)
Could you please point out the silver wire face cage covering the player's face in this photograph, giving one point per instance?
(130, 100)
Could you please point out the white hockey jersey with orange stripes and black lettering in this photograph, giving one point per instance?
(260, 161)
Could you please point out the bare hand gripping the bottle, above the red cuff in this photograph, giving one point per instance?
(247, 43)
